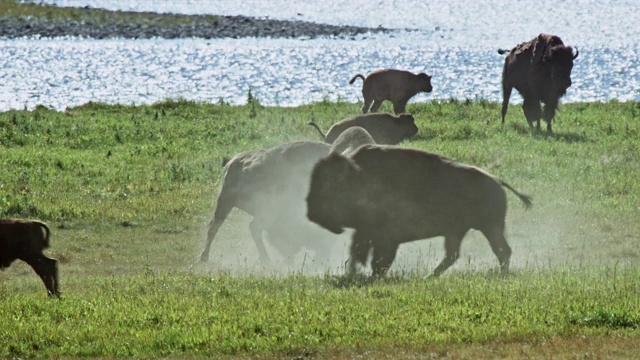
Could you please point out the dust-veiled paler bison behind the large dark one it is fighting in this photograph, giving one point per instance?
(271, 185)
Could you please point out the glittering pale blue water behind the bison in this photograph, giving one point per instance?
(449, 41)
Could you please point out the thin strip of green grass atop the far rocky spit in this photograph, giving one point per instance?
(13, 8)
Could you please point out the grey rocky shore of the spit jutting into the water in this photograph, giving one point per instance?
(148, 26)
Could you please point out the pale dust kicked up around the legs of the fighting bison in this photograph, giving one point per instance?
(552, 234)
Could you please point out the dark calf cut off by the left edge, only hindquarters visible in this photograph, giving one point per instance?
(24, 240)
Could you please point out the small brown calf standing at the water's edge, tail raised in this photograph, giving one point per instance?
(397, 86)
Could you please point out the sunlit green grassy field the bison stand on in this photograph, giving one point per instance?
(129, 192)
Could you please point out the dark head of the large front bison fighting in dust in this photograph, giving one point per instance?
(330, 197)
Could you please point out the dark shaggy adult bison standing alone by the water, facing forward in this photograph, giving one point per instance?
(540, 70)
